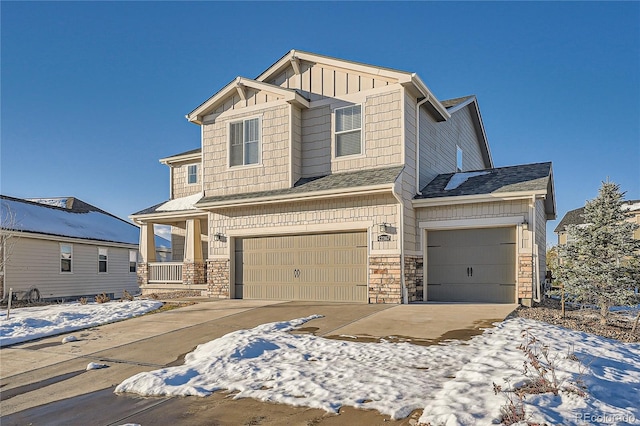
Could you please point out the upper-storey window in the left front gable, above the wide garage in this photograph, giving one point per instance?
(244, 142)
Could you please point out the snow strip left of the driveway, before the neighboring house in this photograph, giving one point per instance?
(31, 323)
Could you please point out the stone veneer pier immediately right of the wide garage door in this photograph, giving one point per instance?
(384, 279)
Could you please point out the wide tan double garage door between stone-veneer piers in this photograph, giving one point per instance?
(321, 267)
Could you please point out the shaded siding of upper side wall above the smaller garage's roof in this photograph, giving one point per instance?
(438, 145)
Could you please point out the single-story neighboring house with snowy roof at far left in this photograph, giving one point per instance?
(66, 248)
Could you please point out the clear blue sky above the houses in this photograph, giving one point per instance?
(93, 94)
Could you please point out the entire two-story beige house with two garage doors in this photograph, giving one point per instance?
(330, 180)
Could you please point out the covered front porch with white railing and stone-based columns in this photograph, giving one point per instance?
(187, 270)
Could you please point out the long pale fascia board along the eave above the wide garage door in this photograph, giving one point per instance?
(316, 195)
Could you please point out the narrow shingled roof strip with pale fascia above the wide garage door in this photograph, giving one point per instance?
(307, 187)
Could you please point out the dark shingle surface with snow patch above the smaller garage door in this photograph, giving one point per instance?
(524, 177)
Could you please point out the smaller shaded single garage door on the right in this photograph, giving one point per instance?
(472, 265)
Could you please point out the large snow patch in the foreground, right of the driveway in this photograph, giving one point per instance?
(452, 382)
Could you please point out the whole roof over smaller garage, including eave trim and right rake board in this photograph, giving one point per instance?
(524, 180)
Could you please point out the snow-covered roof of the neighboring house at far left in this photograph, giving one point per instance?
(76, 220)
